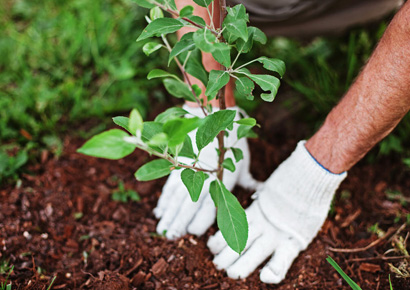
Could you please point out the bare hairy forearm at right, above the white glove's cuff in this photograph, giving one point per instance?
(373, 106)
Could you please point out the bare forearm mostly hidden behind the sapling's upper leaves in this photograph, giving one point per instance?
(208, 61)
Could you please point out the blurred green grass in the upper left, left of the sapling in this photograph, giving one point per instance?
(63, 62)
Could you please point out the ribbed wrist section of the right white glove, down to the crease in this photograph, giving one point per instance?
(299, 195)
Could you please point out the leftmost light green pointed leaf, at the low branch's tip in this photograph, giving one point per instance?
(109, 144)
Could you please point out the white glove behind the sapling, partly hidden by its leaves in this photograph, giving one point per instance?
(178, 213)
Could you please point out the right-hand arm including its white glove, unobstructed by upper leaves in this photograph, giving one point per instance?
(293, 204)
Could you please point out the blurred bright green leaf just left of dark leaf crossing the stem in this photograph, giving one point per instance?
(177, 129)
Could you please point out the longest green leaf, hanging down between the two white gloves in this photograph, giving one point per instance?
(231, 217)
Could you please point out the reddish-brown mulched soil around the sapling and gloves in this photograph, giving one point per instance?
(63, 222)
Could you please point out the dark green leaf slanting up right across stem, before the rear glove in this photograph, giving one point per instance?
(212, 125)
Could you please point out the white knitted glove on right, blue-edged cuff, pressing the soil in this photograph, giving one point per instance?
(287, 214)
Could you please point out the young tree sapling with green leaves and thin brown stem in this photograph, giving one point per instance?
(167, 137)
